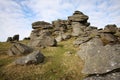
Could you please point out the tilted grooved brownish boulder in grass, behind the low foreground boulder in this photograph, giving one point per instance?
(19, 49)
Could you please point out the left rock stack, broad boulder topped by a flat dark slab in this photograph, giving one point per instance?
(41, 36)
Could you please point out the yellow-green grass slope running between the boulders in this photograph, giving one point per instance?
(58, 64)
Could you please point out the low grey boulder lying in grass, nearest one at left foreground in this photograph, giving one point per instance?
(34, 58)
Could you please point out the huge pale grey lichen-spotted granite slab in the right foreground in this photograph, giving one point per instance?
(99, 59)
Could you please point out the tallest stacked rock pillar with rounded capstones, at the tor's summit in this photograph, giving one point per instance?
(79, 22)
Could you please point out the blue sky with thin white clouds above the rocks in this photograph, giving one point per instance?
(16, 16)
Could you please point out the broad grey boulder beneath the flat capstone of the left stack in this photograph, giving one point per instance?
(42, 38)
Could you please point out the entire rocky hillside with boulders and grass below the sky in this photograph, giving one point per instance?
(64, 50)
